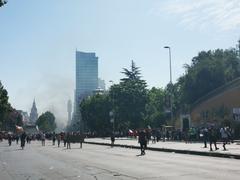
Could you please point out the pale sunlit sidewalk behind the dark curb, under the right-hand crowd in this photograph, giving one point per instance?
(233, 150)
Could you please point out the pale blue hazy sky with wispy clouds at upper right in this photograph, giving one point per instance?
(38, 40)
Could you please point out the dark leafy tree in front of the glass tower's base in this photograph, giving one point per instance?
(95, 113)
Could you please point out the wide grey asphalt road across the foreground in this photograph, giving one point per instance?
(106, 163)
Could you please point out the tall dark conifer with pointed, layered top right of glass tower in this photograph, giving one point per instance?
(129, 98)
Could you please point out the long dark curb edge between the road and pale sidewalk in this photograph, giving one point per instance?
(211, 154)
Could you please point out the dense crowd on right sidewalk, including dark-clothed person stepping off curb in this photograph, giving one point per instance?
(210, 135)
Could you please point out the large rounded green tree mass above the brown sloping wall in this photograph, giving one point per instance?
(208, 71)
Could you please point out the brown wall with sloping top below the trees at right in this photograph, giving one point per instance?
(218, 107)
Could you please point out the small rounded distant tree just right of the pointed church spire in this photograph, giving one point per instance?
(46, 122)
